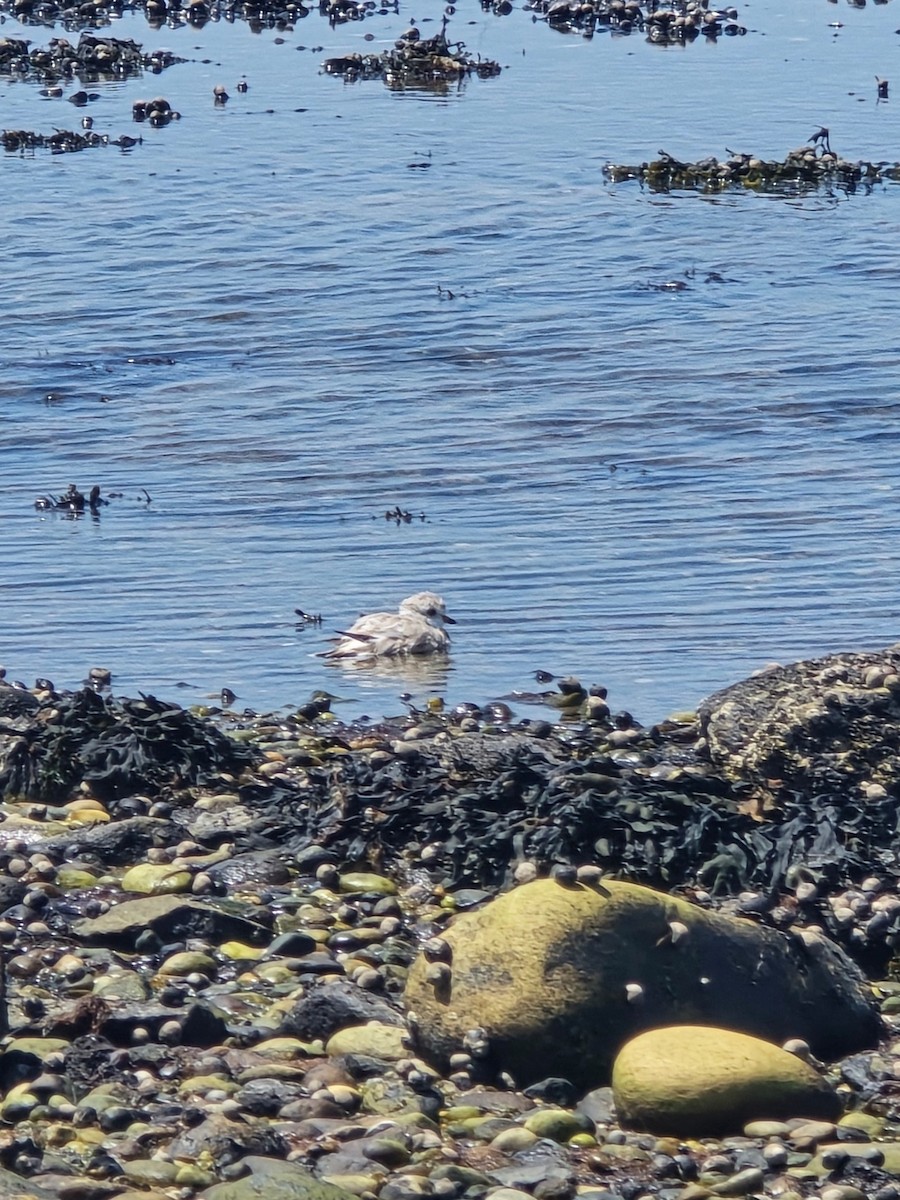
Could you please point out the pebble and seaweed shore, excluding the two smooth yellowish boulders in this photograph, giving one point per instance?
(208, 925)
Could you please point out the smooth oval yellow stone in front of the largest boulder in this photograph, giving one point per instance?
(697, 1082)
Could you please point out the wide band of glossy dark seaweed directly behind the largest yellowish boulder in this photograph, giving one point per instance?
(489, 803)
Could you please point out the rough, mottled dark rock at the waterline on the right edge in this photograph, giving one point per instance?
(827, 725)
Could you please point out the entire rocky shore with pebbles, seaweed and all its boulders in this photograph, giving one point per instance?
(454, 955)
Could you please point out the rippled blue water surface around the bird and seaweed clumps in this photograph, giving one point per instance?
(286, 316)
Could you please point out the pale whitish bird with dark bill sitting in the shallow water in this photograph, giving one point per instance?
(417, 628)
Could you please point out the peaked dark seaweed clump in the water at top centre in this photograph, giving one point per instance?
(415, 62)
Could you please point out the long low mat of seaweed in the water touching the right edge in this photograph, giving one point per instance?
(803, 170)
